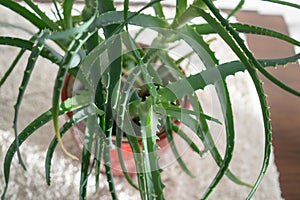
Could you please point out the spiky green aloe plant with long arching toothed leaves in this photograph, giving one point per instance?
(104, 55)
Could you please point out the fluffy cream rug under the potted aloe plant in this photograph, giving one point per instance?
(65, 174)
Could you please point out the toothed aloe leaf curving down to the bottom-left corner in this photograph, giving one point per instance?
(69, 105)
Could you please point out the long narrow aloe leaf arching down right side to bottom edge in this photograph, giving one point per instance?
(250, 62)
